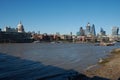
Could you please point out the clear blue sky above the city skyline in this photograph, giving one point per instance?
(63, 16)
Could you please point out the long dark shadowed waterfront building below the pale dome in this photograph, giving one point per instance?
(15, 37)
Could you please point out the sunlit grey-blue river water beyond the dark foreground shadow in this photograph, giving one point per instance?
(64, 55)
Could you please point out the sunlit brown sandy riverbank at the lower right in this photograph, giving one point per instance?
(109, 67)
